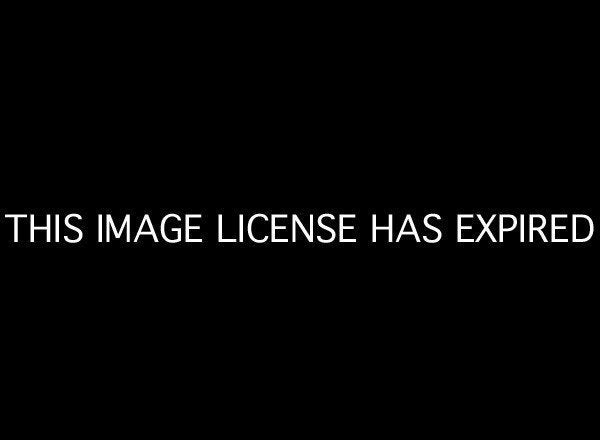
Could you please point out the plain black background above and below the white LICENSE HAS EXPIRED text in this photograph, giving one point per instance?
(368, 113)
